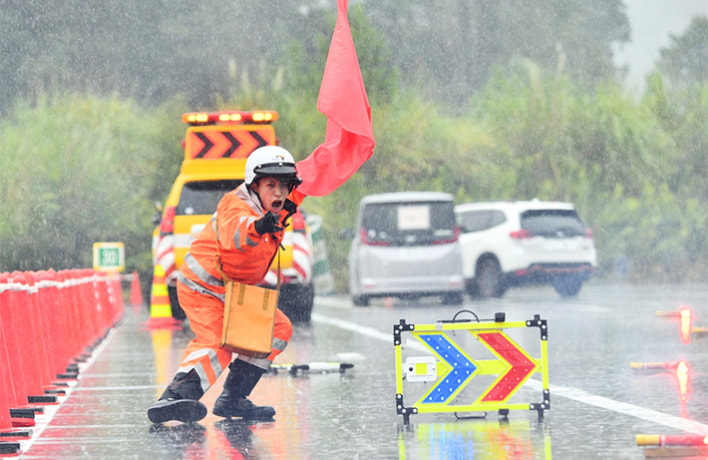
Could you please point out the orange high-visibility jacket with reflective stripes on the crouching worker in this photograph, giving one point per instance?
(245, 255)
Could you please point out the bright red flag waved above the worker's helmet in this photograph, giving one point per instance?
(349, 140)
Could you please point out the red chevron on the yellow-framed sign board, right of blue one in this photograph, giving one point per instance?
(521, 366)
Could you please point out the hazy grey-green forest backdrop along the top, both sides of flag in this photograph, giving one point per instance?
(152, 51)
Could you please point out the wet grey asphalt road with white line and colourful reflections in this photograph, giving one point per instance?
(598, 404)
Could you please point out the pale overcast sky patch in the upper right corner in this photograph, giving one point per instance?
(652, 22)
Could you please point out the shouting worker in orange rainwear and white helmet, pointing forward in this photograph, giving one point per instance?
(251, 220)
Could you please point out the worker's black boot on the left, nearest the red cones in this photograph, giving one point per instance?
(180, 401)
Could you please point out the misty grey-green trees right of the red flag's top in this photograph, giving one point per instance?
(449, 49)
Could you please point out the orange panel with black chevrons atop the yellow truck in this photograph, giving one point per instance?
(218, 143)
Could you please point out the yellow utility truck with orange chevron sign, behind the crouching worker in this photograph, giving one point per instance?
(216, 147)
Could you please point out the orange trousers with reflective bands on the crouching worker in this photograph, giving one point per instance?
(204, 354)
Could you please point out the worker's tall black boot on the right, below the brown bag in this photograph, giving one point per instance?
(232, 402)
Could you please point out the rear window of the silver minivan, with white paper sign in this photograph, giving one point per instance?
(415, 223)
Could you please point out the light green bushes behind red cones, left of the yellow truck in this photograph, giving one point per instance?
(76, 171)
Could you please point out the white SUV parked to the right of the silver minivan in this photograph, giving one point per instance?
(507, 244)
